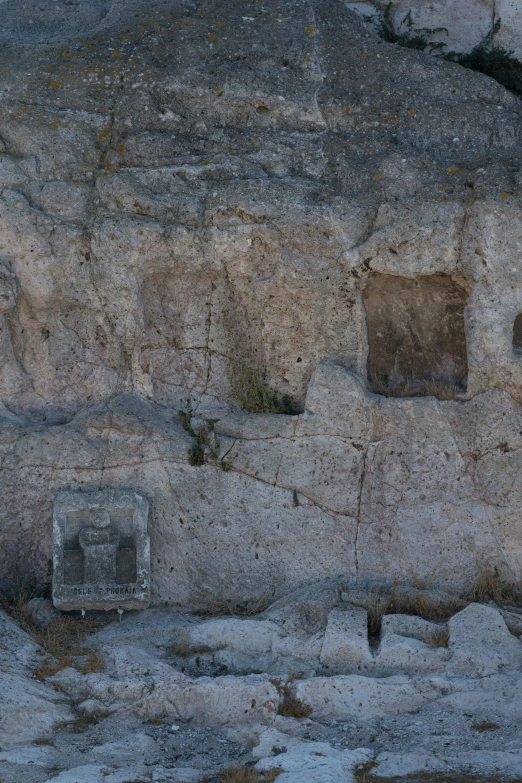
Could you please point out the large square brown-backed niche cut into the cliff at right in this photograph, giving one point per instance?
(416, 336)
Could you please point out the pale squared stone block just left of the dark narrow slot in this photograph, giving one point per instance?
(345, 646)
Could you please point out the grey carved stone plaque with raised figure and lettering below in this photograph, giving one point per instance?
(101, 550)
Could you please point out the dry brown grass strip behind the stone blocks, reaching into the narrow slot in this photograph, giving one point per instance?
(381, 602)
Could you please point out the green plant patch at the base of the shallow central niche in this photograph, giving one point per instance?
(251, 392)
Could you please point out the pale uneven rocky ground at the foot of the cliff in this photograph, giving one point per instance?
(299, 688)
